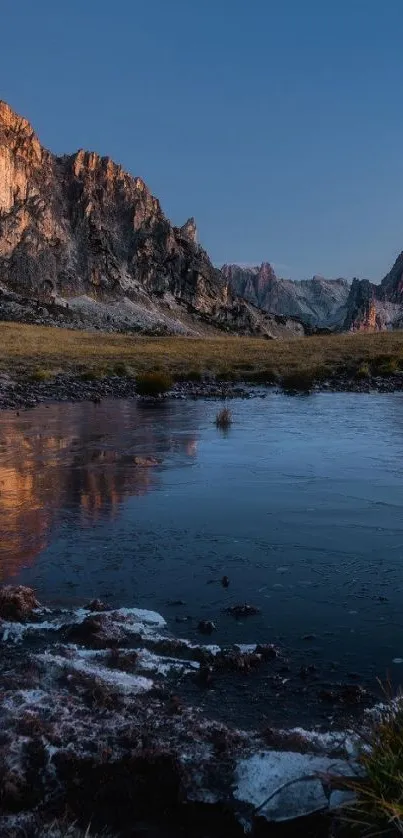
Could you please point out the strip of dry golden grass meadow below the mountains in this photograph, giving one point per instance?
(25, 349)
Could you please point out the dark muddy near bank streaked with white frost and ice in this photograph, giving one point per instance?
(93, 730)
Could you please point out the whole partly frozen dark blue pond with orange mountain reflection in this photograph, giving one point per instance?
(300, 504)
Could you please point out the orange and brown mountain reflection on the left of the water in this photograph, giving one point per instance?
(85, 460)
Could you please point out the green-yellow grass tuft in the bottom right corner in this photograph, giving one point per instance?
(378, 807)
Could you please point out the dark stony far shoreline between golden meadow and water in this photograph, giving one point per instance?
(20, 392)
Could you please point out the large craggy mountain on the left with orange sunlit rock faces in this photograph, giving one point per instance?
(83, 242)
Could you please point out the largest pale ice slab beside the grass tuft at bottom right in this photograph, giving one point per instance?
(293, 779)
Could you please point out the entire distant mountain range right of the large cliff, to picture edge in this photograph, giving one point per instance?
(331, 304)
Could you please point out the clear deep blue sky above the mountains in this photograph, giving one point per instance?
(278, 124)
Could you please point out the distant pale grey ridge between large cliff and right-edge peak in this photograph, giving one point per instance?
(319, 302)
